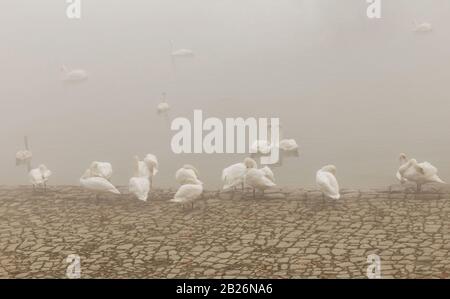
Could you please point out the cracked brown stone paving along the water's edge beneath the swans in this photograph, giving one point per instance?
(290, 233)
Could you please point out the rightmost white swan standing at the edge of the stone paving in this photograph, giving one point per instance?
(420, 173)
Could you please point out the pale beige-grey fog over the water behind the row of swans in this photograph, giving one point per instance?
(352, 91)
